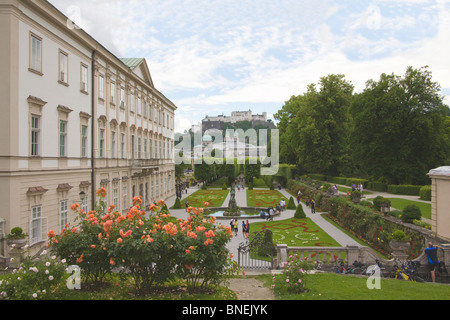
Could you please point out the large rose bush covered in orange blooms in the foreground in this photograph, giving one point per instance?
(150, 246)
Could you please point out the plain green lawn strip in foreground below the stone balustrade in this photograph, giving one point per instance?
(331, 286)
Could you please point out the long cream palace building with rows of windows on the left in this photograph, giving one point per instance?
(74, 118)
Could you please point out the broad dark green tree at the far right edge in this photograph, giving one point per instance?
(399, 128)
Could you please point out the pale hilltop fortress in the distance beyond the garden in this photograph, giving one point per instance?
(217, 122)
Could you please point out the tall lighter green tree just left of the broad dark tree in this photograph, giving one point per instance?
(323, 124)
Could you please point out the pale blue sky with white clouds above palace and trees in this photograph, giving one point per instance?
(212, 57)
